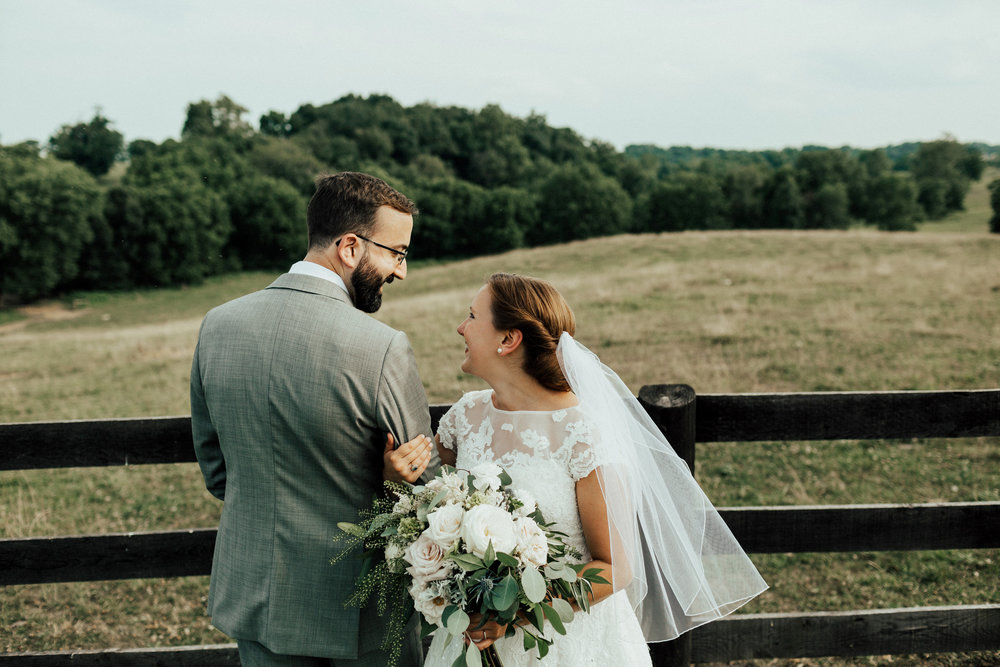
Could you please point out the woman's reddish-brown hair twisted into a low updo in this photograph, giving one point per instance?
(536, 309)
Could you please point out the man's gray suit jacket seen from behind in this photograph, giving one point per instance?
(292, 392)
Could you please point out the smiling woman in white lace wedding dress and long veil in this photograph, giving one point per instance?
(571, 433)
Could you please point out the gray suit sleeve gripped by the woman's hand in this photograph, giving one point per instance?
(401, 405)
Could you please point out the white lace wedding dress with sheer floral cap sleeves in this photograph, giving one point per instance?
(545, 453)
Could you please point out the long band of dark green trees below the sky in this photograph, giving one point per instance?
(86, 212)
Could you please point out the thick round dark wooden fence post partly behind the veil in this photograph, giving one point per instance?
(672, 407)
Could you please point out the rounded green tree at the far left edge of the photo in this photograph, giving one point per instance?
(46, 211)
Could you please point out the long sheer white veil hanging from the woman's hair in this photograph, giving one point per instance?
(685, 566)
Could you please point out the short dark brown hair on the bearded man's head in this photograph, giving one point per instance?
(346, 203)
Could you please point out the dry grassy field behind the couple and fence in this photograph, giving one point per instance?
(723, 312)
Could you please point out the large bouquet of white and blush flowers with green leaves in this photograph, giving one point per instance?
(466, 542)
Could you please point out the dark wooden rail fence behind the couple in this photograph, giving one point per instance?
(685, 419)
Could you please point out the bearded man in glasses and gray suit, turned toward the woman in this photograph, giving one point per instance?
(297, 400)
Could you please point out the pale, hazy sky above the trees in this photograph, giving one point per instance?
(717, 73)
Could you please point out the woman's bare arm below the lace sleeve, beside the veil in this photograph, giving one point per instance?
(600, 536)
